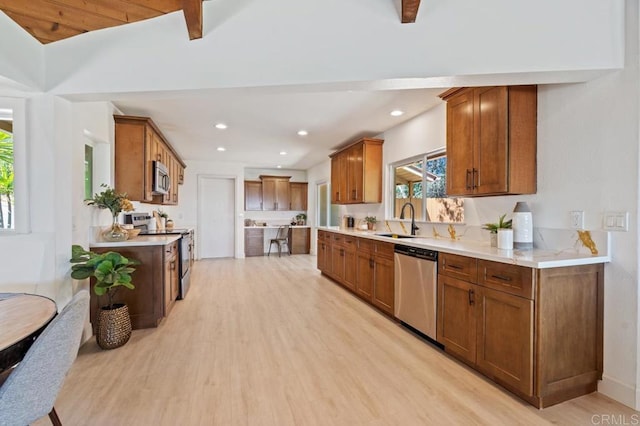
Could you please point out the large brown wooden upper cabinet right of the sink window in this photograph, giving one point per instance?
(491, 140)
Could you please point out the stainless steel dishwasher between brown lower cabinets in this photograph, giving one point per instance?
(415, 288)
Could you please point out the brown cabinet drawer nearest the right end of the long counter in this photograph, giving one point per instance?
(513, 279)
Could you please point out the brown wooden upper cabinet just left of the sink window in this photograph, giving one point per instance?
(356, 173)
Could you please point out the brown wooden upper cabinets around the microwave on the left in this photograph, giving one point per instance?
(138, 143)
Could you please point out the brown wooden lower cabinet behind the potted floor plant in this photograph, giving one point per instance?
(156, 280)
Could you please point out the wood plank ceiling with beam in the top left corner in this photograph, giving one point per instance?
(53, 20)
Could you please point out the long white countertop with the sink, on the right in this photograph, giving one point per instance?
(534, 258)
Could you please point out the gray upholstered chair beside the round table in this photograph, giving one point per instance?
(31, 389)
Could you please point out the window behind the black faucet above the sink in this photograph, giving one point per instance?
(421, 182)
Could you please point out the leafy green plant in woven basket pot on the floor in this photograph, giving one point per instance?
(111, 271)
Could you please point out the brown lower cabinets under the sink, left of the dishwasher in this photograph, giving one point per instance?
(362, 265)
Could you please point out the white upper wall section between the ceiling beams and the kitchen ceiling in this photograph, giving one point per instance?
(293, 42)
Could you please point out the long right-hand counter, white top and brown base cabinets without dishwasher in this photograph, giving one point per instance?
(532, 321)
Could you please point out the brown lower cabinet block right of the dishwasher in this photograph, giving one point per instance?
(537, 332)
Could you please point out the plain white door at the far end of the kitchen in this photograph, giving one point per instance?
(216, 217)
